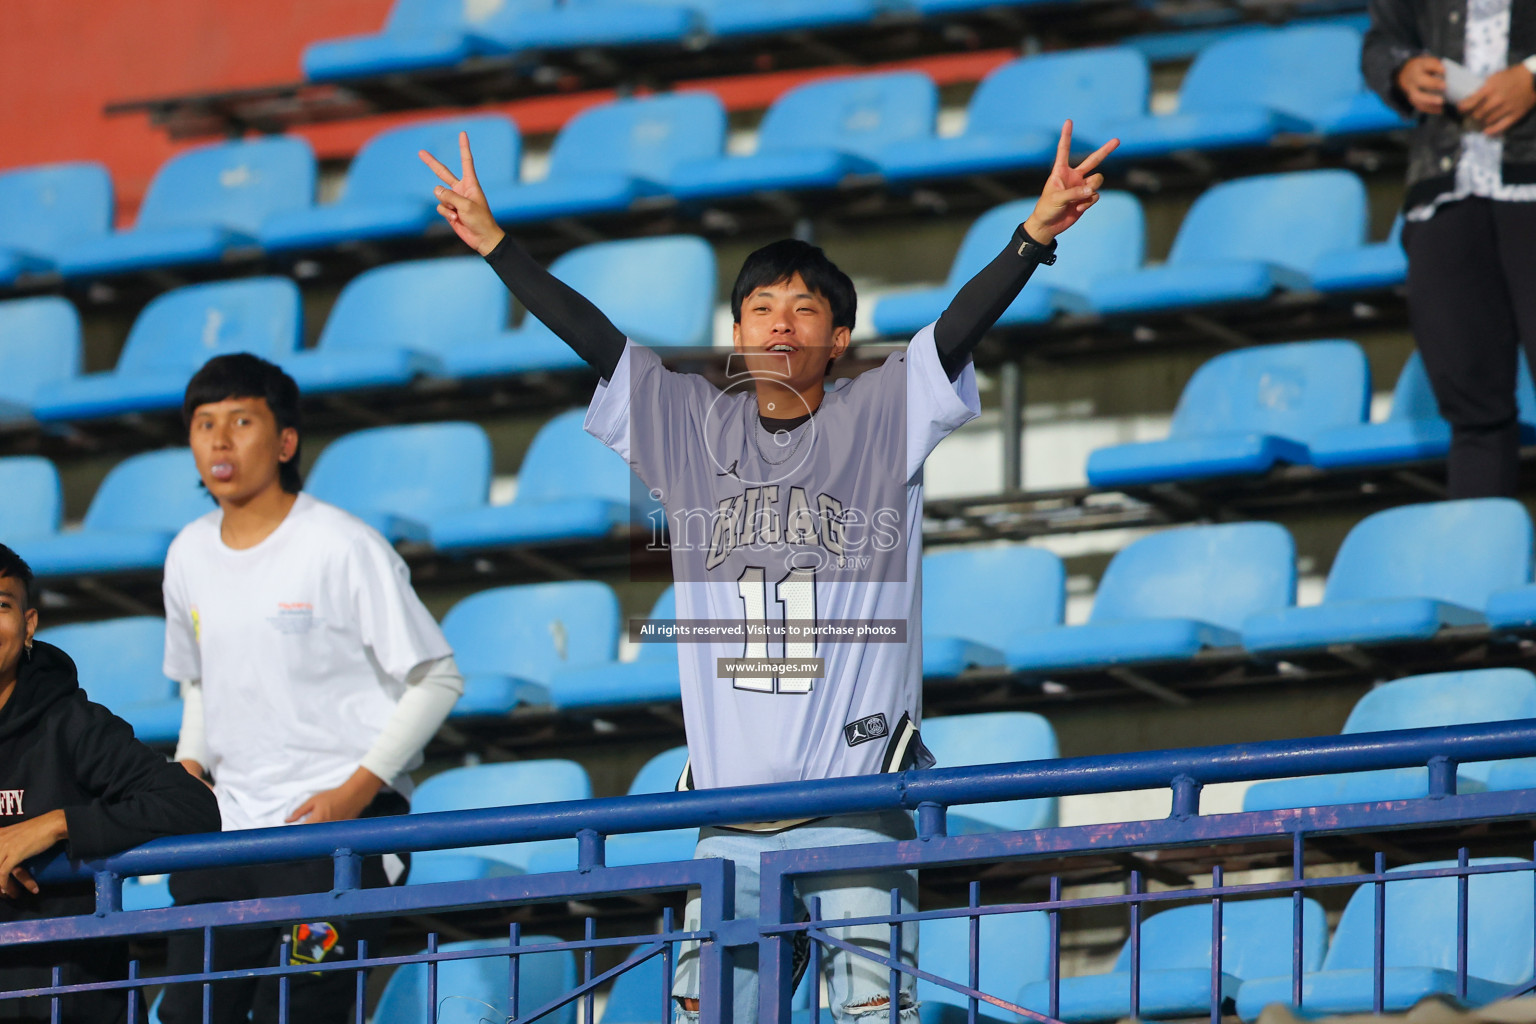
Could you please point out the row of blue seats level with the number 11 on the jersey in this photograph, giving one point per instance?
(1402, 576)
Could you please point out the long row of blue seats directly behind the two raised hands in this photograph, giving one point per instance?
(1242, 91)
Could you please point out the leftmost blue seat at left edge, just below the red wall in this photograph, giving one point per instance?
(47, 210)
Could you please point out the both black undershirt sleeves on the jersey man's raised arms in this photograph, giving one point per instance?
(594, 337)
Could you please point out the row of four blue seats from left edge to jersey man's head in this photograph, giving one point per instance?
(388, 329)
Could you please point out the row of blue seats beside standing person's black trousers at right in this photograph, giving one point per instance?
(1302, 405)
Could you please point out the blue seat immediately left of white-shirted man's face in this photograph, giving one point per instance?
(131, 521)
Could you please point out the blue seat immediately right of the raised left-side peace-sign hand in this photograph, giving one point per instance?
(612, 156)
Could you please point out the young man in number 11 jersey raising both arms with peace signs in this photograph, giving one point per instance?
(810, 498)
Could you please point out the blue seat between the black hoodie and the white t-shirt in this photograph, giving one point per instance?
(121, 669)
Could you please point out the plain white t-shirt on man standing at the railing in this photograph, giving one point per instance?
(302, 644)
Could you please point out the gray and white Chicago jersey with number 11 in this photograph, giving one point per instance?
(815, 526)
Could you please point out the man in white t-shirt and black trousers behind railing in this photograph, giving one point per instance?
(313, 678)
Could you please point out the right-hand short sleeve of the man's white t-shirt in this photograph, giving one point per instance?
(392, 621)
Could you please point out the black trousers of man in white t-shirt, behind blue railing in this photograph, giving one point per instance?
(314, 999)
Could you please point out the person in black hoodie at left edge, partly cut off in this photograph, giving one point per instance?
(73, 775)
